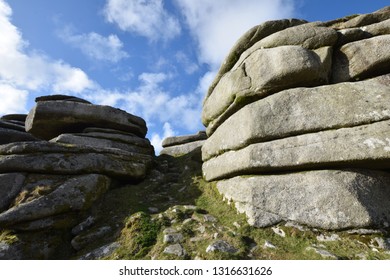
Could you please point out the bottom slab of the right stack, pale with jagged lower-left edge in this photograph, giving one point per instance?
(329, 199)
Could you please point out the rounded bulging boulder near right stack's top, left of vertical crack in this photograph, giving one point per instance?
(264, 72)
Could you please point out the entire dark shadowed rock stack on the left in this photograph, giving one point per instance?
(75, 151)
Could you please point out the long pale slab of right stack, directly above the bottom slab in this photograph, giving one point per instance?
(366, 146)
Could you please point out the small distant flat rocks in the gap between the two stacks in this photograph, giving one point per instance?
(181, 145)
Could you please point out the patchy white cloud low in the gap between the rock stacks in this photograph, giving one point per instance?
(155, 104)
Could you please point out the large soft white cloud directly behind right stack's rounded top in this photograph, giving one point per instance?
(216, 25)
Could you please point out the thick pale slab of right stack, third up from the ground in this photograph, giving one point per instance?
(300, 111)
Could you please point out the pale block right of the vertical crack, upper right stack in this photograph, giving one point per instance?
(362, 59)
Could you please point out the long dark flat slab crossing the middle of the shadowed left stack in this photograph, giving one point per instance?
(53, 158)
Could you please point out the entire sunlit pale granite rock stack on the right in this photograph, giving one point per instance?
(299, 123)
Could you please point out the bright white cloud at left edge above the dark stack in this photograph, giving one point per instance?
(22, 71)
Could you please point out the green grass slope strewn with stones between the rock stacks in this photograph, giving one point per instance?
(141, 233)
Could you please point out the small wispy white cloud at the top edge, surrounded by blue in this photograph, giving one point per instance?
(147, 18)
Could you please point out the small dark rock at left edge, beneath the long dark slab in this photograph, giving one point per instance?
(10, 185)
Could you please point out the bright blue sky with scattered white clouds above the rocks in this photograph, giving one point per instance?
(152, 58)
